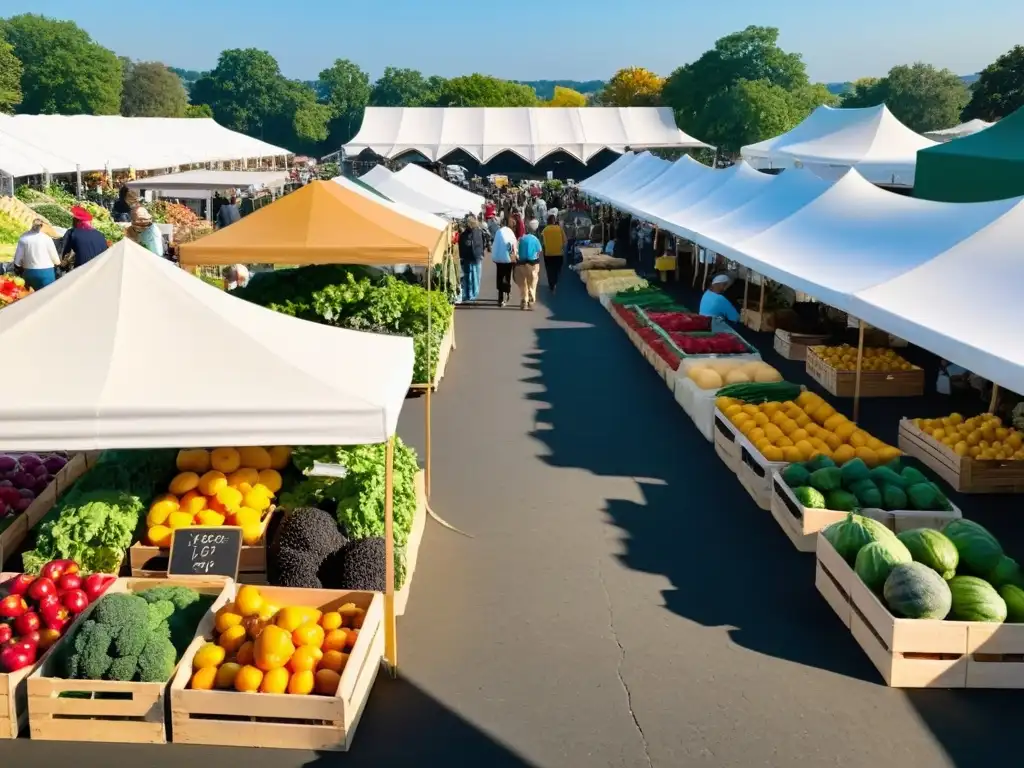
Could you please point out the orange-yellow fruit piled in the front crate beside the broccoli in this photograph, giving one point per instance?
(262, 649)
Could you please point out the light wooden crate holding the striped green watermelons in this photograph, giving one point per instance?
(920, 654)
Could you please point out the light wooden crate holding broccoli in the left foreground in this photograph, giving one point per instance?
(108, 711)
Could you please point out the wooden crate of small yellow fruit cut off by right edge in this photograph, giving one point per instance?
(964, 474)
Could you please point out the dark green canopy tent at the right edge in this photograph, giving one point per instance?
(986, 166)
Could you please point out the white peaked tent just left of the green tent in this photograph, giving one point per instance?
(831, 141)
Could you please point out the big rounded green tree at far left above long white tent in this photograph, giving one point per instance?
(65, 71)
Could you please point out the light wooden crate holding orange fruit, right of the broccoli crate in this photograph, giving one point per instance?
(275, 720)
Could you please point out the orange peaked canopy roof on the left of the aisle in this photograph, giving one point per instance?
(324, 223)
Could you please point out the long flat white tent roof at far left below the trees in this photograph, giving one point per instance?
(36, 145)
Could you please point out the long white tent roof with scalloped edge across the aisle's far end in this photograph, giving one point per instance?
(530, 133)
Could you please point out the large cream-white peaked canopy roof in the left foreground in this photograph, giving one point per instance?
(285, 381)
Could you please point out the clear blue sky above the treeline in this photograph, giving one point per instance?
(587, 39)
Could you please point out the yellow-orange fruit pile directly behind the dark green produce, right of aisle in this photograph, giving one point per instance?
(797, 432)
